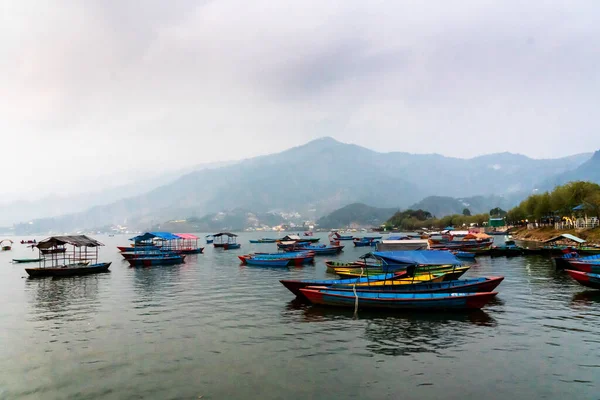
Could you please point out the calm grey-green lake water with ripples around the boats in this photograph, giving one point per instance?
(215, 329)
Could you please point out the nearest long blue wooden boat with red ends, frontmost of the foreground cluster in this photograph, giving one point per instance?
(398, 301)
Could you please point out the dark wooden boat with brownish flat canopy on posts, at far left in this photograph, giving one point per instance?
(56, 261)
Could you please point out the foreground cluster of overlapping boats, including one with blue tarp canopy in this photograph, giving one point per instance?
(413, 279)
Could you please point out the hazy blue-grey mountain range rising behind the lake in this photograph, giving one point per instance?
(324, 175)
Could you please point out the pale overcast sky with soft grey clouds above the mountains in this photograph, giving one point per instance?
(115, 88)
